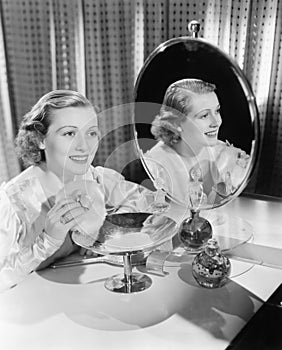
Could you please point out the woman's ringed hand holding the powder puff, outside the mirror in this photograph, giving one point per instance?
(63, 217)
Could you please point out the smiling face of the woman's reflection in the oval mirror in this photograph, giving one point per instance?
(201, 126)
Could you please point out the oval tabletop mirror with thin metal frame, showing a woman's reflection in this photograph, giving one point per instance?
(200, 150)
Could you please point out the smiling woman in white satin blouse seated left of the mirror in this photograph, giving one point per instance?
(60, 191)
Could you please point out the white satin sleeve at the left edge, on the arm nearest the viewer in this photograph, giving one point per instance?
(16, 261)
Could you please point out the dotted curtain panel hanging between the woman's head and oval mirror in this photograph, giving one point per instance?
(113, 57)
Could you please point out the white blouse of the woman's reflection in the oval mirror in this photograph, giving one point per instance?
(174, 170)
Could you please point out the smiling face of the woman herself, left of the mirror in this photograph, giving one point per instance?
(71, 141)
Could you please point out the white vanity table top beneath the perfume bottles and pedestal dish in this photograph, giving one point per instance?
(69, 308)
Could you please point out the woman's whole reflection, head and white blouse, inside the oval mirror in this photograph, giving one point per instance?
(187, 130)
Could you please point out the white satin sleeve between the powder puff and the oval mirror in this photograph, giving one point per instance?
(121, 195)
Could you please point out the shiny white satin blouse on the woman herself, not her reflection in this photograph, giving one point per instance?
(24, 204)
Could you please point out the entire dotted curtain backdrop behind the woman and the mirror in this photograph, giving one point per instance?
(98, 47)
